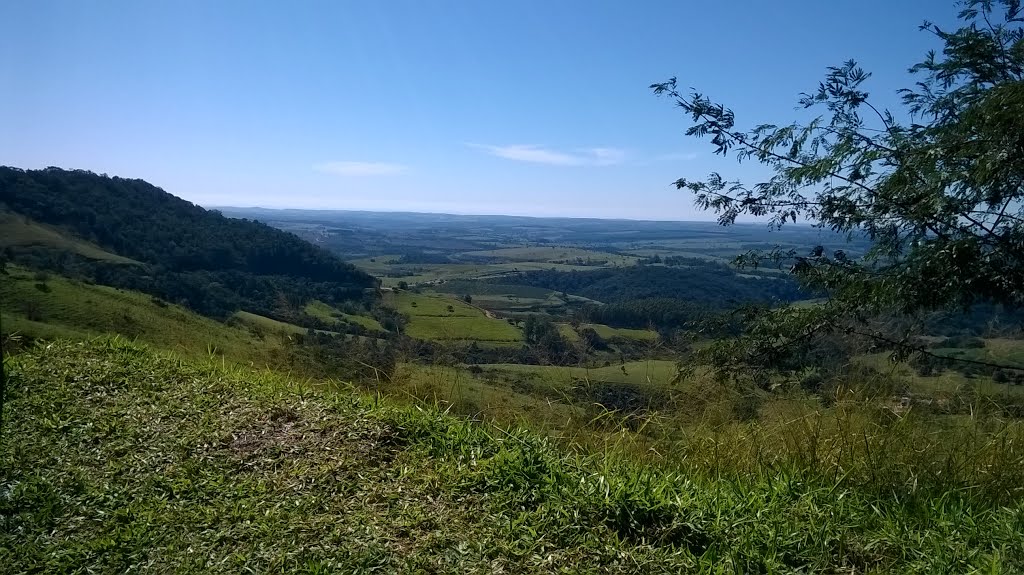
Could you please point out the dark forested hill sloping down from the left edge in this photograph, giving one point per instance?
(192, 256)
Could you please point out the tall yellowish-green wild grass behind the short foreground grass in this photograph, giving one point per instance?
(862, 434)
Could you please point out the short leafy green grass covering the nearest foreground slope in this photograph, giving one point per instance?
(117, 460)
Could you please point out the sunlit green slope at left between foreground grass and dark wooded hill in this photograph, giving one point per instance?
(74, 309)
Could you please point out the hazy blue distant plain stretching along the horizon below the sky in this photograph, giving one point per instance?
(462, 239)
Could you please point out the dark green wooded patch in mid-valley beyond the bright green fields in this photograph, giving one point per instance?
(709, 284)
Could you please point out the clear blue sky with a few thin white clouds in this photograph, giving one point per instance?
(537, 108)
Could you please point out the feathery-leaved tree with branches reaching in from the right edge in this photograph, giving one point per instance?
(937, 187)
